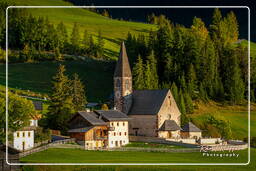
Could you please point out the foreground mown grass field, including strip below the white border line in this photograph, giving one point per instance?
(76, 156)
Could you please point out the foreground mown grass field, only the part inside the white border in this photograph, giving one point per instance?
(67, 155)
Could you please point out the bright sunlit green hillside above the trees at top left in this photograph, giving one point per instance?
(113, 31)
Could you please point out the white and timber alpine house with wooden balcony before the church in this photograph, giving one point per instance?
(99, 128)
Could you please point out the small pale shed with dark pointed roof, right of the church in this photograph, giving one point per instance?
(189, 130)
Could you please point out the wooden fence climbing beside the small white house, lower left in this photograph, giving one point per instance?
(45, 147)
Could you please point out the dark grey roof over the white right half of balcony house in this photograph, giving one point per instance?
(112, 115)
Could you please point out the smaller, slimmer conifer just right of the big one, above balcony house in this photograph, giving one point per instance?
(77, 92)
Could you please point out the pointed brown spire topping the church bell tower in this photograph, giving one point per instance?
(123, 67)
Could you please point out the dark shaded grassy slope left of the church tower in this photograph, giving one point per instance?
(96, 76)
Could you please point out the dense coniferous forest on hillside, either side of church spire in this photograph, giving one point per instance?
(199, 62)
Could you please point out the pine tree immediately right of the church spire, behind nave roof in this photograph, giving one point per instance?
(138, 74)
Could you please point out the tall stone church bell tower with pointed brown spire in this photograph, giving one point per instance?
(122, 82)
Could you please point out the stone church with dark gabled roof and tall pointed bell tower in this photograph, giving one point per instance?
(153, 113)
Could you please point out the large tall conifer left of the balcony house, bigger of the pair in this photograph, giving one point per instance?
(61, 106)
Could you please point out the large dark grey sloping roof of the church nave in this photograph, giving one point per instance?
(147, 102)
